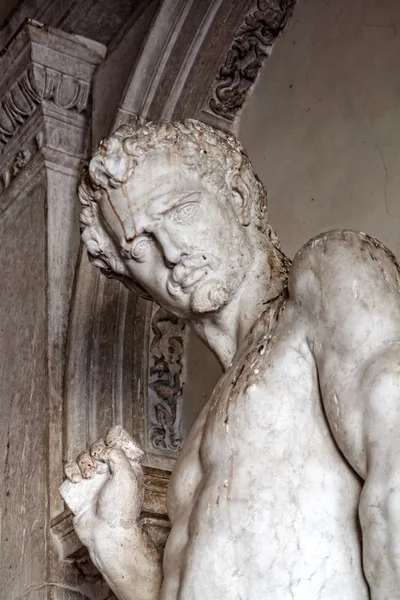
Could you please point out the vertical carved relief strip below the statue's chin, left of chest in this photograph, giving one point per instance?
(166, 382)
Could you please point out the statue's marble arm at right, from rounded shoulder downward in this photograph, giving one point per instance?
(348, 285)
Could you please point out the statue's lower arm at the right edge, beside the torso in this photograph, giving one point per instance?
(380, 499)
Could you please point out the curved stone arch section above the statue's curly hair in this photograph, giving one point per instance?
(207, 71)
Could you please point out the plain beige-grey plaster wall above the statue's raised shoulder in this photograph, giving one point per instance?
(323, 124)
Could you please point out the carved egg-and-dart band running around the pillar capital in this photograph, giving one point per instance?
(36, 84)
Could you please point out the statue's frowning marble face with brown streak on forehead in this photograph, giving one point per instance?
(184, 243)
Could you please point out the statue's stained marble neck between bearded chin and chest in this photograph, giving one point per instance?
(227, 330)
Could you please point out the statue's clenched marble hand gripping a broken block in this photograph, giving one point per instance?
(104, 489)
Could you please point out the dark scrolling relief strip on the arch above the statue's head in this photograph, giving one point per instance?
(253, 42)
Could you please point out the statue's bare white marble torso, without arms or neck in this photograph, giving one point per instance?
(267, 505)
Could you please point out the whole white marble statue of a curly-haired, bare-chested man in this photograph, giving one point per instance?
(299, 444)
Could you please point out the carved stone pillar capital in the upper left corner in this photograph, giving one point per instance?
(46, 77)
